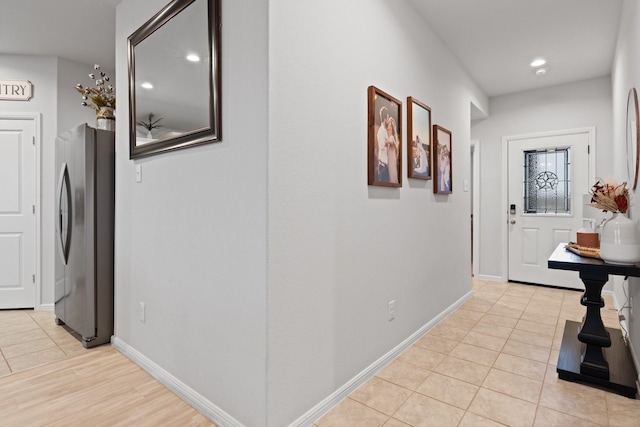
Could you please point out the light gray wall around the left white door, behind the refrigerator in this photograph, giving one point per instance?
(57, 103)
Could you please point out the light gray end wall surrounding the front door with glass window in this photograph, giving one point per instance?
(576, 105)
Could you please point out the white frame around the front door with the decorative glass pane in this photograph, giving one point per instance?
(590, 131)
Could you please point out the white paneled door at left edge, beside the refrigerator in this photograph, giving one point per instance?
(18, 219)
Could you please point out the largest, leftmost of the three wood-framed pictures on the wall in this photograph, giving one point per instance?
(385, 139)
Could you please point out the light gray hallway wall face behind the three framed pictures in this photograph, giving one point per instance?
(340, 250)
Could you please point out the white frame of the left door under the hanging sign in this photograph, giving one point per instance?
(36, 118)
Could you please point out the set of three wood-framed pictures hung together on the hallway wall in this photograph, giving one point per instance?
(385, 143)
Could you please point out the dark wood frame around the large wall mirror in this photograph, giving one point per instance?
(182, 139)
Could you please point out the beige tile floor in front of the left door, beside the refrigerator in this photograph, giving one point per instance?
(31, 338)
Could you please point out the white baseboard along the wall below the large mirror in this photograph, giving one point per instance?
(186, 393)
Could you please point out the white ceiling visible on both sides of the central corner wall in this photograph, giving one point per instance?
(494, 39)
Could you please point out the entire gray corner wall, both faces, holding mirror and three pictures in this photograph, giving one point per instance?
(267, 328)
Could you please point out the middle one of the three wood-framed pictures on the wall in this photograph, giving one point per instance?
(418, 139)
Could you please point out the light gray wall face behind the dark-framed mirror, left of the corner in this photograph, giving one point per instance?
(191, 237)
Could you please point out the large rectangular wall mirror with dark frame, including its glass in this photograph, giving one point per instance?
(174, 78)
